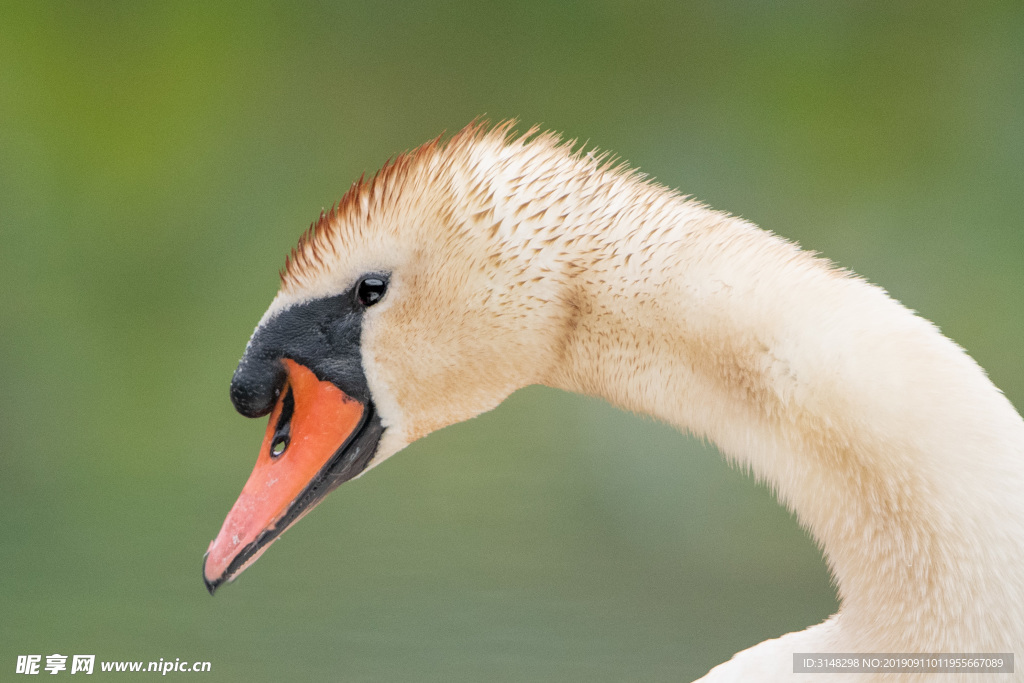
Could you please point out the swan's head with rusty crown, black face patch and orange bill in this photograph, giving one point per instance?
(412, 306)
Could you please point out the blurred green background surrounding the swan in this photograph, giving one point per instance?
(158, 160)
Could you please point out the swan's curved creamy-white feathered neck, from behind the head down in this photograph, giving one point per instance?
(888, 442)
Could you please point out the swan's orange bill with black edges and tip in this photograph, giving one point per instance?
(308, 451)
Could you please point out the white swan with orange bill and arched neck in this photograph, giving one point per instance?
(470, 269)
